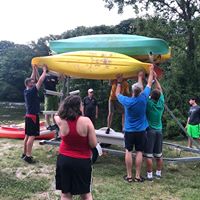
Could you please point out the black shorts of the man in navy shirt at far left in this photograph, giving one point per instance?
(32, 126)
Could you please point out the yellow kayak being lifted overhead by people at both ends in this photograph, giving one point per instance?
(99, 65)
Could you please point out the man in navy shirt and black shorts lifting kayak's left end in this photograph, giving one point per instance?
(32, 104)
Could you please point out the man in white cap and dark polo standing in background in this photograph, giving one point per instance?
(90, 106)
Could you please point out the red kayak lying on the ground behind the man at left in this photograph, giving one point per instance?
(18, 132)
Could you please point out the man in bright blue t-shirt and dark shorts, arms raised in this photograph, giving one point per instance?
(135, 123)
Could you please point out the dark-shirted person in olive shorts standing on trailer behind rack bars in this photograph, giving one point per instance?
(50, 101)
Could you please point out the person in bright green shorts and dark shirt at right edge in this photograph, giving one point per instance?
(193, 122)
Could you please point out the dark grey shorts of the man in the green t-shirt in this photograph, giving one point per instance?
(153, 146)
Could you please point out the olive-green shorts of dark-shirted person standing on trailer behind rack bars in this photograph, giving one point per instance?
(51, 103)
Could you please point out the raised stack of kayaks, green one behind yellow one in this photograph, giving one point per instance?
(104, 56)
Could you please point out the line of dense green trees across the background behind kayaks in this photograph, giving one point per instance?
(180, 28)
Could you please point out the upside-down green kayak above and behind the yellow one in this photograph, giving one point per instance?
(130, 45)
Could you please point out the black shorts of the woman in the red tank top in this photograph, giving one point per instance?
(73, 175)
